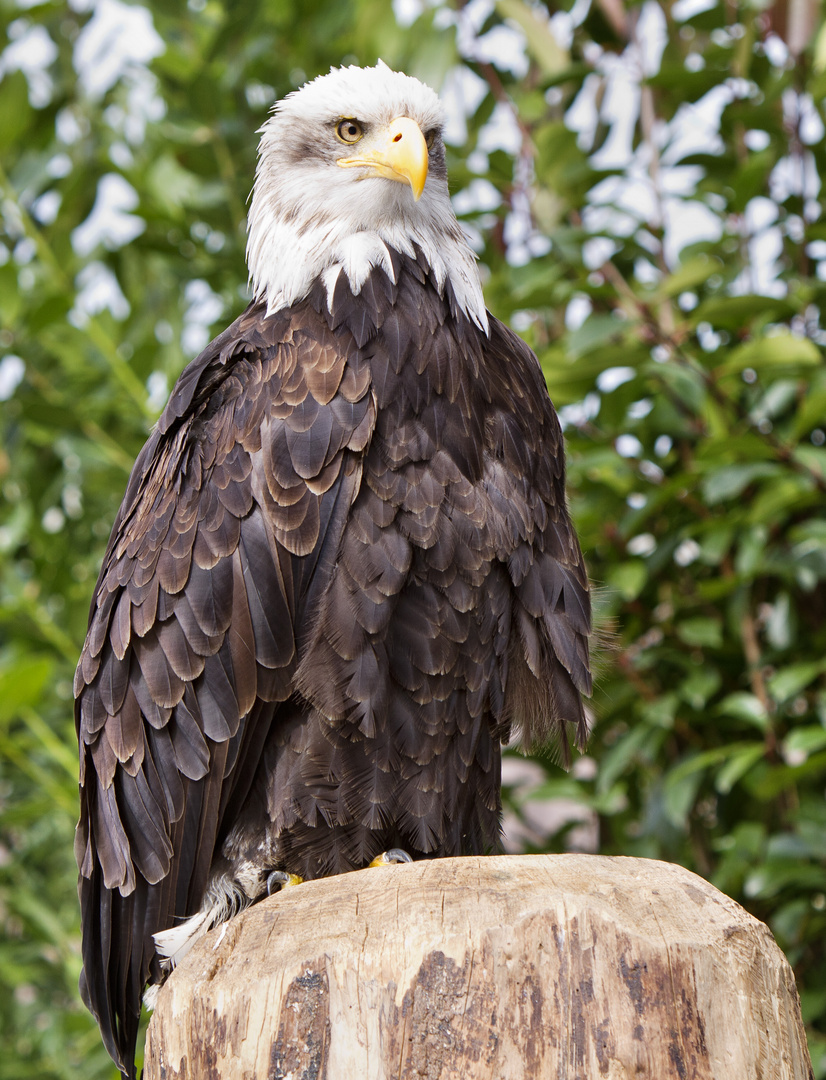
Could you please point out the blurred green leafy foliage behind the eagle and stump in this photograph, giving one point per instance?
(692, 382)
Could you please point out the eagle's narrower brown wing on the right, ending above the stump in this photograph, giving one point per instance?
(549, 652)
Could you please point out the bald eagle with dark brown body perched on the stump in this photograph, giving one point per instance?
(344, 573)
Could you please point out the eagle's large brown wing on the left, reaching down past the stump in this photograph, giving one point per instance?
(228, 530)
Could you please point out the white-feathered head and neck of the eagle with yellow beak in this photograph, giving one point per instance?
(353, 165)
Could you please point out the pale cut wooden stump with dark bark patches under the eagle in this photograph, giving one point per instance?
(572, 967)
